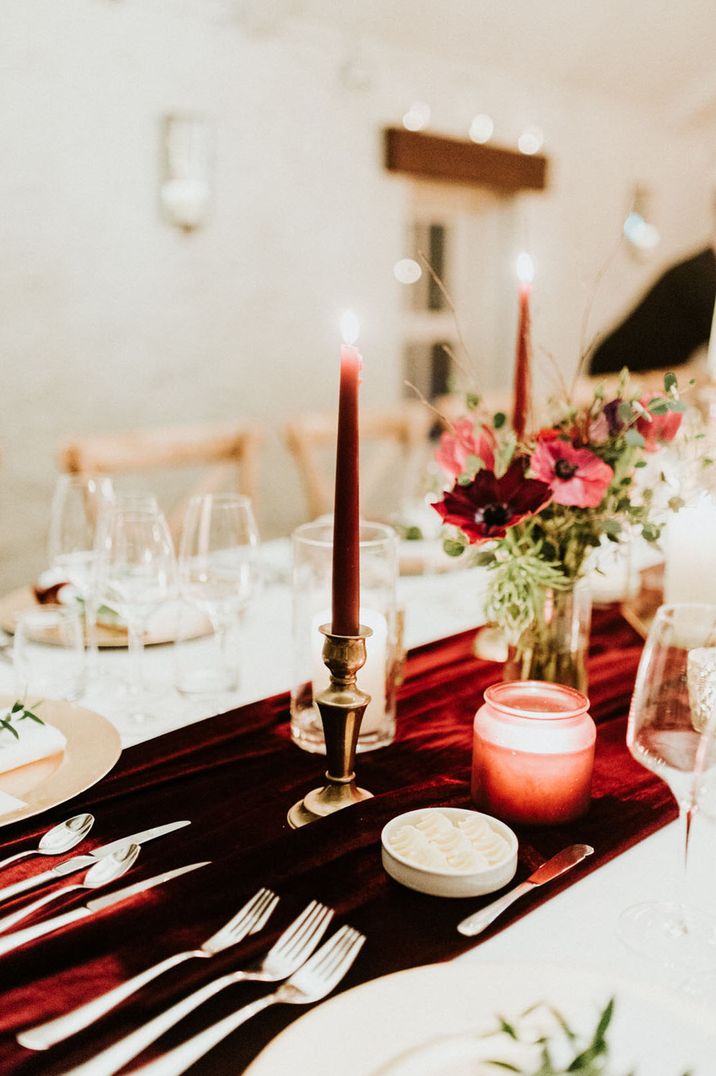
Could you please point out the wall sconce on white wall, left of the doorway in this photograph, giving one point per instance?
(186, 191)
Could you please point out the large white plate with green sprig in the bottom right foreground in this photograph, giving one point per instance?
(423, 1023)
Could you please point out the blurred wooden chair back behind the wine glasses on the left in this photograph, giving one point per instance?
(229, 450)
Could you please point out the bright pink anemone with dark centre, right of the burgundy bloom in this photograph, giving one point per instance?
(579, 478)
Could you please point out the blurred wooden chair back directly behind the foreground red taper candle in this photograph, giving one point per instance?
(394, 450)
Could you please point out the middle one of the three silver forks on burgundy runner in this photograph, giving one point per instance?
(296, 945)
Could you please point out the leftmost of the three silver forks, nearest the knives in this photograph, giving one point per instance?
(250, 919)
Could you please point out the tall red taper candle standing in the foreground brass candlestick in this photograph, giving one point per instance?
(346, 594)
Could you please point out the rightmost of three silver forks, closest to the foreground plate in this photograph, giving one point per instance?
(312, 983)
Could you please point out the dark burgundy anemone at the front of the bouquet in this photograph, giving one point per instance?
(488, 506)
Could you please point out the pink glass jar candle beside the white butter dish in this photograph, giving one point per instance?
(534, 753)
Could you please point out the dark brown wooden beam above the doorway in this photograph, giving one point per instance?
(461, 162)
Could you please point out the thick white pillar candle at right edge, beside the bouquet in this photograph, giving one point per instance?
(691, 549)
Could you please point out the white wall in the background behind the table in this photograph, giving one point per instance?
(110, 318)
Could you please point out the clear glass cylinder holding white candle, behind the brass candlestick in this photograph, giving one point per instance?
(313, 555)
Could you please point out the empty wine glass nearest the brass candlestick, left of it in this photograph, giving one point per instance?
(219, 575)
